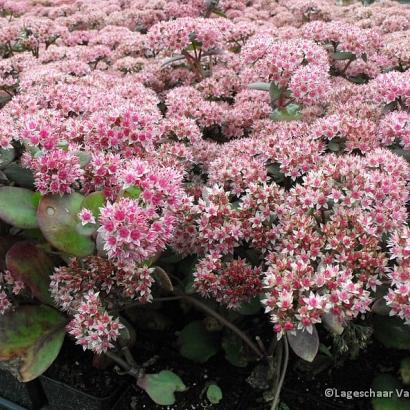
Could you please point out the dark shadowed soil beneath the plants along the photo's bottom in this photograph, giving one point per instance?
(303, 389)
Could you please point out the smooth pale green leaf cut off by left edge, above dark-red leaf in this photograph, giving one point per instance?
(17, 207)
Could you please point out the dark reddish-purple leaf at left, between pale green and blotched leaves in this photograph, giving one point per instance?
(33, 266)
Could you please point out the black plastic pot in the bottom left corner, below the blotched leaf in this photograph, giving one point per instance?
(28, 395)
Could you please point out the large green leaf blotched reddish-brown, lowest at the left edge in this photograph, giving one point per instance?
(30, 339)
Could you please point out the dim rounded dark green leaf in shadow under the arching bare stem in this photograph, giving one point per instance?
(196, 343)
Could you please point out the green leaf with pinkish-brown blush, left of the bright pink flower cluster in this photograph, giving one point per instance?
(57, 218)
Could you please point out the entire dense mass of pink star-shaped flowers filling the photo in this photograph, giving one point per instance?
(266, 140)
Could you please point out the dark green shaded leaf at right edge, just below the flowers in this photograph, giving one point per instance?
(392, 332)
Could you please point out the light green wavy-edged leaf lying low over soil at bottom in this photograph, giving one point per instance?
(161, 386)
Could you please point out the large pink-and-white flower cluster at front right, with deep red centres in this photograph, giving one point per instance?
(328, 254)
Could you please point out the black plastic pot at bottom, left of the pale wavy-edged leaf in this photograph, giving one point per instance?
(63, 397)
